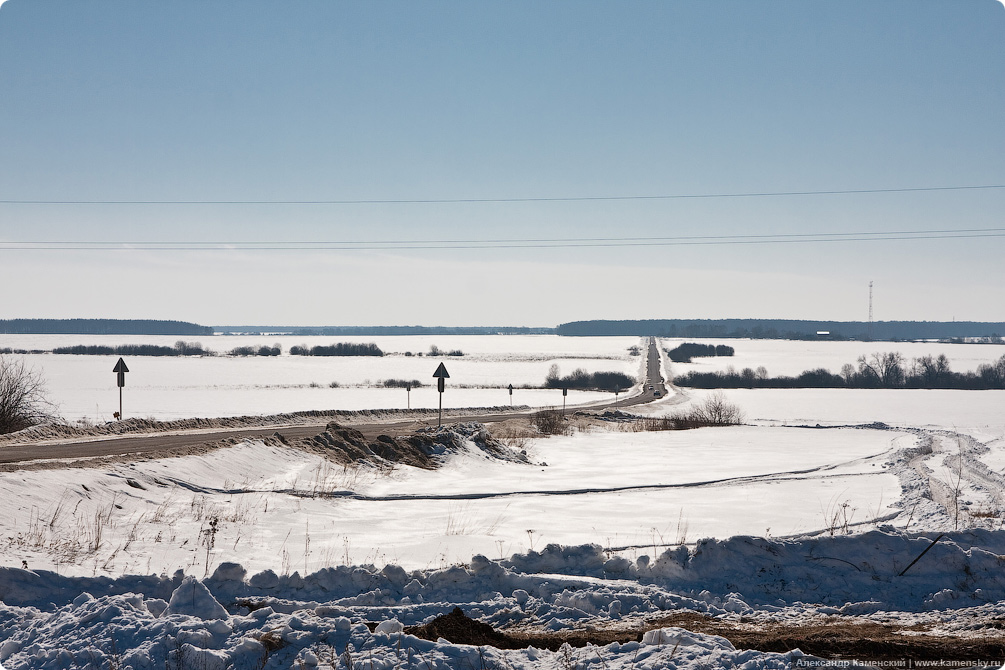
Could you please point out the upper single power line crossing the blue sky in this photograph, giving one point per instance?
(446, 201)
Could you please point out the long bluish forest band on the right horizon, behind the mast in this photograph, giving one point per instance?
(778, 329)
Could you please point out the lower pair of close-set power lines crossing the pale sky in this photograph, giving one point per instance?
(543, 244)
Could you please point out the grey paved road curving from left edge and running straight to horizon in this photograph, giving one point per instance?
(153, 443)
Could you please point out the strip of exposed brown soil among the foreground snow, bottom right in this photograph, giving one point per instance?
(839, 640)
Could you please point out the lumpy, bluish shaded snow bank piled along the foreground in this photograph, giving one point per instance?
(231, 620)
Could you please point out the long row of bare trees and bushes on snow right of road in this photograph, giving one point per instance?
(881, 371)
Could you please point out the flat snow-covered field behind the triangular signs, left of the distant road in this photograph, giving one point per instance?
(84, 387)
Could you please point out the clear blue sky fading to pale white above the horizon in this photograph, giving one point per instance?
(330, 101)
